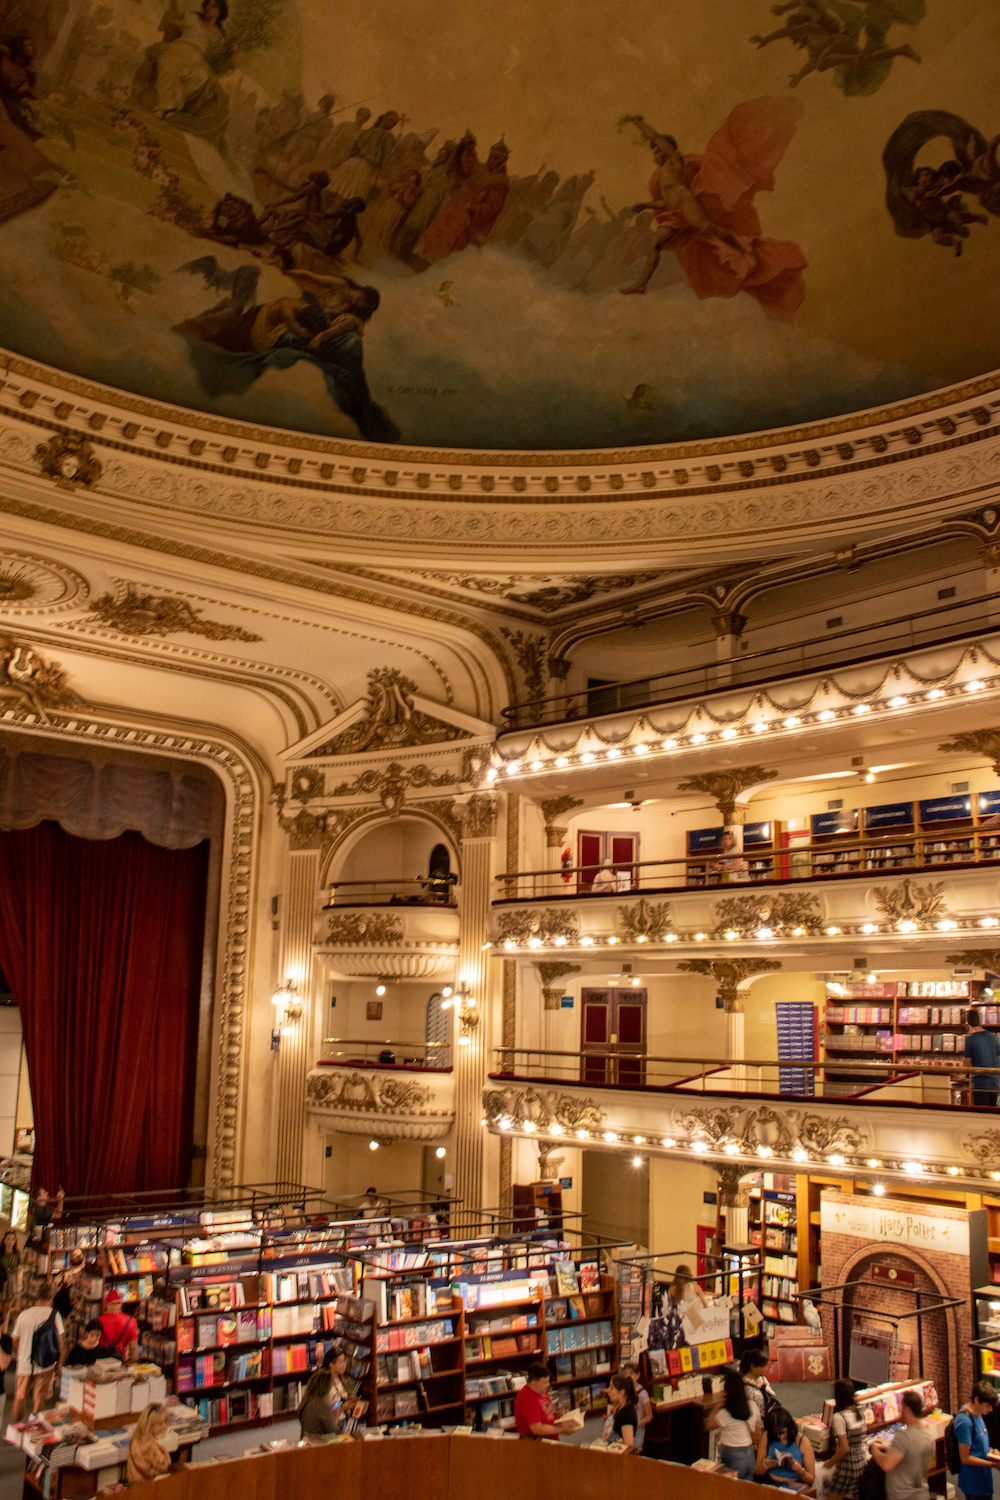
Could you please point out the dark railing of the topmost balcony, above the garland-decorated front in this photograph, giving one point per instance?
(770, 664)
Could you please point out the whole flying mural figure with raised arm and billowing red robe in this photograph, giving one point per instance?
(705, 209)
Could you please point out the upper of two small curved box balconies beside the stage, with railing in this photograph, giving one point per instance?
(394, 931)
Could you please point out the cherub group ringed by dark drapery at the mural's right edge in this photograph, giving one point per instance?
(929, 200)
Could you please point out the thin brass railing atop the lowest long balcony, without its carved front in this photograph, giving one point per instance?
(944, 1085)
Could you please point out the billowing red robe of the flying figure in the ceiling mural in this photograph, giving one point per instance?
(738, 163)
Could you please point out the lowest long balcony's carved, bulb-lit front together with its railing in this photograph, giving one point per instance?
(899, 1123)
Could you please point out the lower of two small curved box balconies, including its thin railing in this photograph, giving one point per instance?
(386, 1090)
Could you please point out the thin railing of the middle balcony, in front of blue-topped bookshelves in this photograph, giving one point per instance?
(836, 857)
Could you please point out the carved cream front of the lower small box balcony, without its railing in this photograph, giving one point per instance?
(386, 1105)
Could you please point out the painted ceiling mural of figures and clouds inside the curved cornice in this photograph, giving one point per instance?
(458, 227)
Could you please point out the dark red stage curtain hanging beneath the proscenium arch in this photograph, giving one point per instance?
(103, 946)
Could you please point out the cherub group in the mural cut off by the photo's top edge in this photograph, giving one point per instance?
(831, 38)
